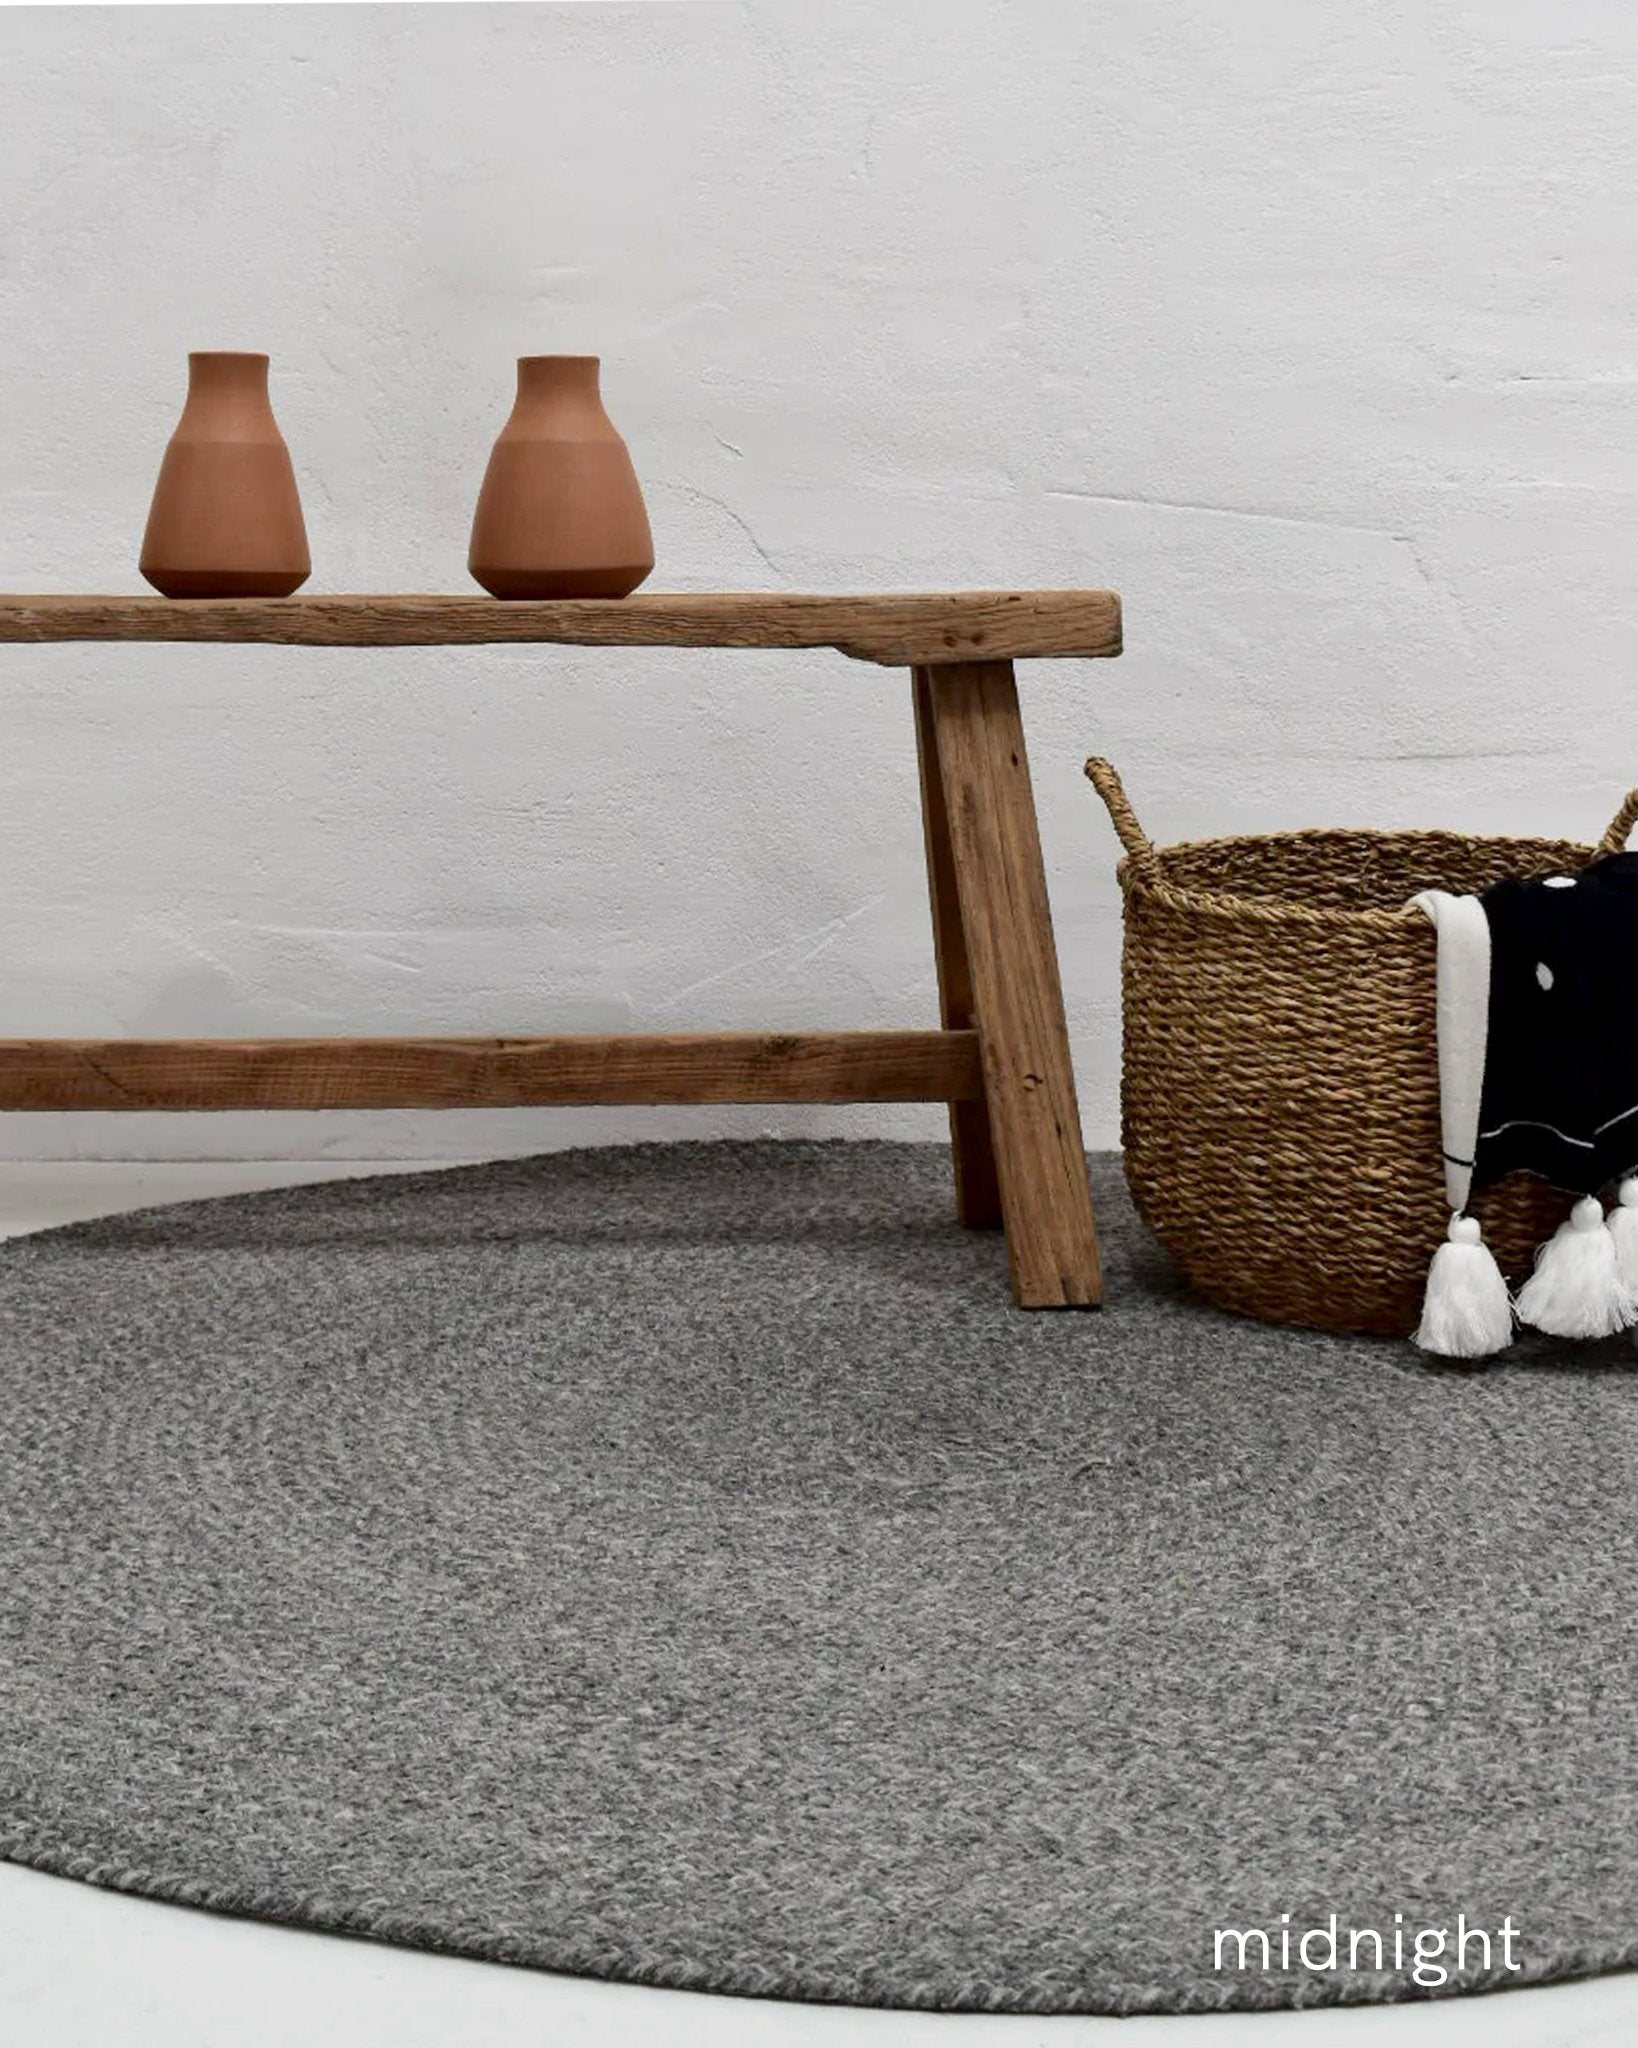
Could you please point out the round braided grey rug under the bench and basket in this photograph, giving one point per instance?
(685, 1566)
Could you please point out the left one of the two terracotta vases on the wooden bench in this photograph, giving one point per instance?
(226, 517)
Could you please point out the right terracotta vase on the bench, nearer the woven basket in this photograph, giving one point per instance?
(560, 513)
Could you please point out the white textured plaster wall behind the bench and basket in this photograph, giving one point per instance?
(1311, 329)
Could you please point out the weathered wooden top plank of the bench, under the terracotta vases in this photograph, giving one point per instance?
(894, 630)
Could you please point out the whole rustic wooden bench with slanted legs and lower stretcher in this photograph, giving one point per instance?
(1002, 1054)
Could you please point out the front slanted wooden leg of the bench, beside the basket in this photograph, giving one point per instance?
(976, 738)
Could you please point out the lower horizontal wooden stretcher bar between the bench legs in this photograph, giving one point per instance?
(484, 1074)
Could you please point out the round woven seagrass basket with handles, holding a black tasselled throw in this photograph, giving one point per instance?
(1281, 1084)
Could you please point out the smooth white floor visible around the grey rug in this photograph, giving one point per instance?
(83, 1969)
